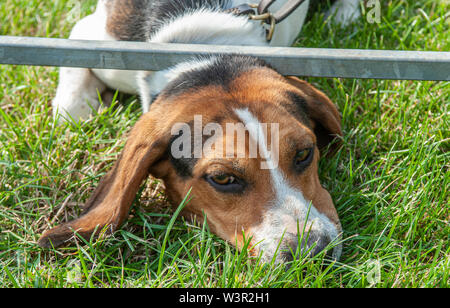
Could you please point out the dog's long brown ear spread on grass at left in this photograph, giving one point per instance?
(109, 205)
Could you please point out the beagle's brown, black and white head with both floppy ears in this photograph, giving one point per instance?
(246, 141)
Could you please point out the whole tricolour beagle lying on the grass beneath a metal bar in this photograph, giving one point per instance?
(273, 196)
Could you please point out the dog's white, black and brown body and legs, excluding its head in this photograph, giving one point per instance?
(164, 21)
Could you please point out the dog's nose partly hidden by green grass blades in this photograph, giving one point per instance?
(312, 243)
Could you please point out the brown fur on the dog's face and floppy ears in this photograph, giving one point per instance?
(263, 92)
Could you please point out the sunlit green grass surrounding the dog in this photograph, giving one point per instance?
(389, 182)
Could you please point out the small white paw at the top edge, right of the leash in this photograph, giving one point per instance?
(344, 12)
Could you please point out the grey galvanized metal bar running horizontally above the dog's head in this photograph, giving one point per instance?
(314, 62)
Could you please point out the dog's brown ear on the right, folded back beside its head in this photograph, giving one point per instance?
(324, 114)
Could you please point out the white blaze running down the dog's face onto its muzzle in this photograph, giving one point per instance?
(289, 211)
